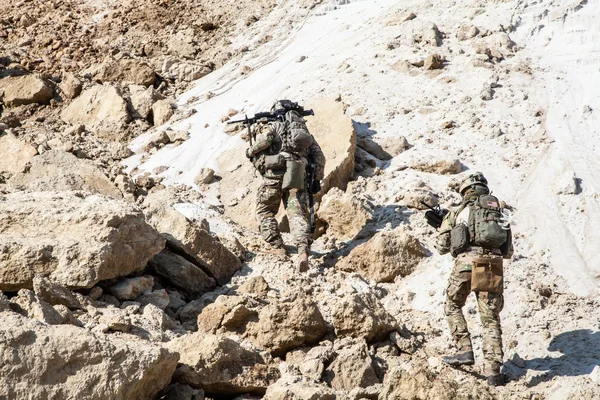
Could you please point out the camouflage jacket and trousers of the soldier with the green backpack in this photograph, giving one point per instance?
(458, 289)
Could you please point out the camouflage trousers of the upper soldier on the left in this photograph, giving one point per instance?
(295, 202)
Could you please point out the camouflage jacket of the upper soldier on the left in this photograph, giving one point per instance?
(268, 142)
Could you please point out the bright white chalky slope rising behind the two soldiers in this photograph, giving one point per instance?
(537, 140)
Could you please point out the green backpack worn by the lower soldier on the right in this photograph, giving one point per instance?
(484, 223)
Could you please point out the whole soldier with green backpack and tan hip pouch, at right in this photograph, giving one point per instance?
(478, 235)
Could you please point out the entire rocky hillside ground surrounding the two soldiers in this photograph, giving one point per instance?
(130, 265)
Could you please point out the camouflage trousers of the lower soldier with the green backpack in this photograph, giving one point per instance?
(490, 305)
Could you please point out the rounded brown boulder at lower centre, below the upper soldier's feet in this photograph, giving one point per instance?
(287, 323)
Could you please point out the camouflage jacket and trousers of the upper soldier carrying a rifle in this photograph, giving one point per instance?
(270, 193)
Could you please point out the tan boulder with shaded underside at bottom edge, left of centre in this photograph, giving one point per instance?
(220, 365)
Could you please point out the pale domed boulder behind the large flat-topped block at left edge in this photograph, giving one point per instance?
(56, 170)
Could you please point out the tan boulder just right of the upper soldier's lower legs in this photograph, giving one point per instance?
(344, 214)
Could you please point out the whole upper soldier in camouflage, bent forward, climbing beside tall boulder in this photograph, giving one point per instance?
(282, 153)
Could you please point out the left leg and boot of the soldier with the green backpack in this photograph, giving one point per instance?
(459, 287)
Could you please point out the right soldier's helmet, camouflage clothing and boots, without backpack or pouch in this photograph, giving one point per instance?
(459, 287)
